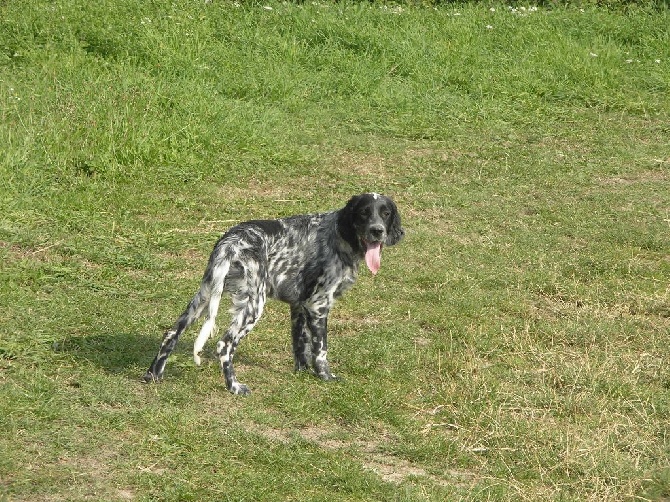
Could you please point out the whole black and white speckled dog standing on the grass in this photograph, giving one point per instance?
(306, 261)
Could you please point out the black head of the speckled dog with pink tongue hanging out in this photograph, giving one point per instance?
(368, 222)
